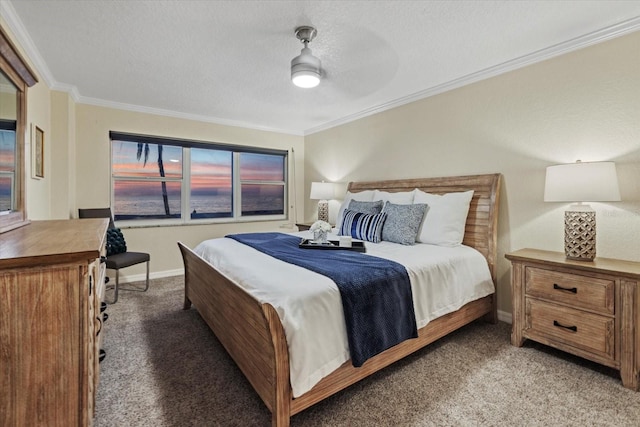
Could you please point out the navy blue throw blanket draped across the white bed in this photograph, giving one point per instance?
(376, 293)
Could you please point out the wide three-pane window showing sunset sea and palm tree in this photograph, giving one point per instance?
(158, 180)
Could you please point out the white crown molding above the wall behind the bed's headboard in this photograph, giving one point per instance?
(595, 37)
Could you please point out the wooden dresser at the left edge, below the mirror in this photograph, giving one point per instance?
(51, 287)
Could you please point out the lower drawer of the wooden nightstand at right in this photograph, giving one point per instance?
(576, 328)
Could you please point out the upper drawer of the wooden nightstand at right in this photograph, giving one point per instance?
(572, 289)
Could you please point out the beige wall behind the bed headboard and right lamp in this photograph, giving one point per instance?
(583, 105)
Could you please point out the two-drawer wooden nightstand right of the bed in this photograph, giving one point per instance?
(590, 309)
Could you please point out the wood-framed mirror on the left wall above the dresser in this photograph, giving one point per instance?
(15, 78)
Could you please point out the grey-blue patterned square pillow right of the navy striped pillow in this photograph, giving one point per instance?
(403, 222)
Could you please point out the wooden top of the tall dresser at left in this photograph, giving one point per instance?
(53, 242)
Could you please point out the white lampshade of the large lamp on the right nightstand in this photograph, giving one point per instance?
(582, 182)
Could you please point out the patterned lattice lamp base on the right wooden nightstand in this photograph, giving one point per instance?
(580, 235)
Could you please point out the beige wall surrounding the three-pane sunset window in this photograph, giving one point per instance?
(93, 161)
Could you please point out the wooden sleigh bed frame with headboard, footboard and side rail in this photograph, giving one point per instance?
(252, 334)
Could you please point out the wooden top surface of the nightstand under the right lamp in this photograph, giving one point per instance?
(599, 264)
